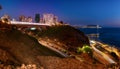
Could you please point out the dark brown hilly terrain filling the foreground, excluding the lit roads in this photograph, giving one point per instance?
(20, 51)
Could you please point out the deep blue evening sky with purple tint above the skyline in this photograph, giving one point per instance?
(76, 12)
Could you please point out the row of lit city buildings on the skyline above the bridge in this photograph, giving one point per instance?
(46, 19)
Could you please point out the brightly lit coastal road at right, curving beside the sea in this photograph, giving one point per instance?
(101, 54)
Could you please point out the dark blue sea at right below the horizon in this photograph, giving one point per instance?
(109, 36)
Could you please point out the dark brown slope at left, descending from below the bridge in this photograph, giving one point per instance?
(19, 48)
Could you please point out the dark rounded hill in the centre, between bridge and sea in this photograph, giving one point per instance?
(64, 36)
